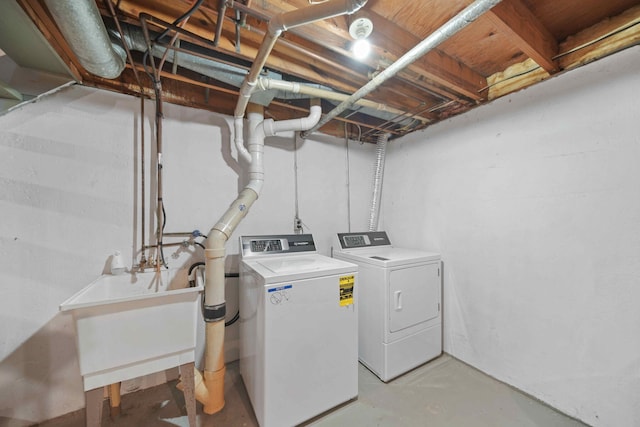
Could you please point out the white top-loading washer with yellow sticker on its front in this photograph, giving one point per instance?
(298, 329)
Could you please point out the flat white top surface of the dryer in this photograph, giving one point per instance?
(387, 256)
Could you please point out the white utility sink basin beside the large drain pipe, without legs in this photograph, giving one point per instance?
(134, 324)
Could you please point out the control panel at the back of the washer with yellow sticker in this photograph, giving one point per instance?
(252, 246)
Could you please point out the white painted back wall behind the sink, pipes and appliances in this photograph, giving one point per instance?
(69, 191)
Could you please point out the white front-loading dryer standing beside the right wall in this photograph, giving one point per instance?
(399, 304)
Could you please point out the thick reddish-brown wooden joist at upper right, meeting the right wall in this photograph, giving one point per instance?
(527, 32)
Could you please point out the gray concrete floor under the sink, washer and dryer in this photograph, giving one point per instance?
(444, 392)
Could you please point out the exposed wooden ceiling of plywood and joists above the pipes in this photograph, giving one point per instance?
(516, 44)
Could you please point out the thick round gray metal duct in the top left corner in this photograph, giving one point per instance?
(81, 24)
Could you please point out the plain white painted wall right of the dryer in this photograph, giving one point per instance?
(534, 203)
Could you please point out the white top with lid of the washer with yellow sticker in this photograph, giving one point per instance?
(288, 268)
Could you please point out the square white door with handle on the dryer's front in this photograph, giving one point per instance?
(414, 295)
